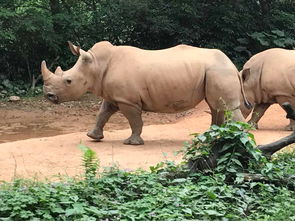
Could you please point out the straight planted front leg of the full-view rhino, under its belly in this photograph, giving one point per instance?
(133, 116)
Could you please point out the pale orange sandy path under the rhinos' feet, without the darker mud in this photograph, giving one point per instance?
(49, 156)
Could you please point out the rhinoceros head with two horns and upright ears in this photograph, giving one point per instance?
(69, 85)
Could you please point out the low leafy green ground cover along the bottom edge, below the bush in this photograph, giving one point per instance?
(141, 195)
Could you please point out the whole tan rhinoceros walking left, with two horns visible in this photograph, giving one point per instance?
(130, 79)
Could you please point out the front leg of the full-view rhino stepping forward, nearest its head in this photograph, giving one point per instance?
(106, 110)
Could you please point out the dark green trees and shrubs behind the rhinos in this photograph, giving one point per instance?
(33, 30)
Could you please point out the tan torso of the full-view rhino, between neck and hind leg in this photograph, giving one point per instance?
(169, 80)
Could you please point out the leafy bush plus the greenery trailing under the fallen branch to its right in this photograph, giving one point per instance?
(231, 150)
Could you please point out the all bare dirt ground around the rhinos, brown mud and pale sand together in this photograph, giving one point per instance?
(40, 139)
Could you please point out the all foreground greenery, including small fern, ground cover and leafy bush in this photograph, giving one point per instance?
(167, 192)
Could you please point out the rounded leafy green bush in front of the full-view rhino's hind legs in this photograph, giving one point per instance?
(231, 146)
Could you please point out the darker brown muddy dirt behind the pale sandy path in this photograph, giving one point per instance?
(36, 117)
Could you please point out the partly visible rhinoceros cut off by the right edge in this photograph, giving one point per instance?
(268, 78)
